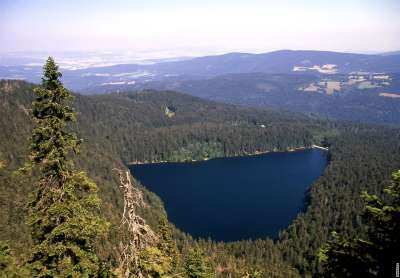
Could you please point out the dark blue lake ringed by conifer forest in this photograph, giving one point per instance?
(236, 198)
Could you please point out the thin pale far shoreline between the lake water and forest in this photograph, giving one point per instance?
(244, 154)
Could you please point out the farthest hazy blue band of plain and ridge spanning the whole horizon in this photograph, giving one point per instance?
(283, 61)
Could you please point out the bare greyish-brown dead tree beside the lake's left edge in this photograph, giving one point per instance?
(139, 234)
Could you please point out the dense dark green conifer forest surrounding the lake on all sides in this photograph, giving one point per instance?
(139, 127)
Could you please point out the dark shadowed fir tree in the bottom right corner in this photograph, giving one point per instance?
(378, 255)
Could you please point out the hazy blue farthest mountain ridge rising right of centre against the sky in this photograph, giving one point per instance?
(284, 61)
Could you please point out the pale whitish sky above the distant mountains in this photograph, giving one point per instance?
(187, 28)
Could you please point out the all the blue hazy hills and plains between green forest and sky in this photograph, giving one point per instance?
(356, 87)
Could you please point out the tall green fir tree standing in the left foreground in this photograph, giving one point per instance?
(64, 209)
